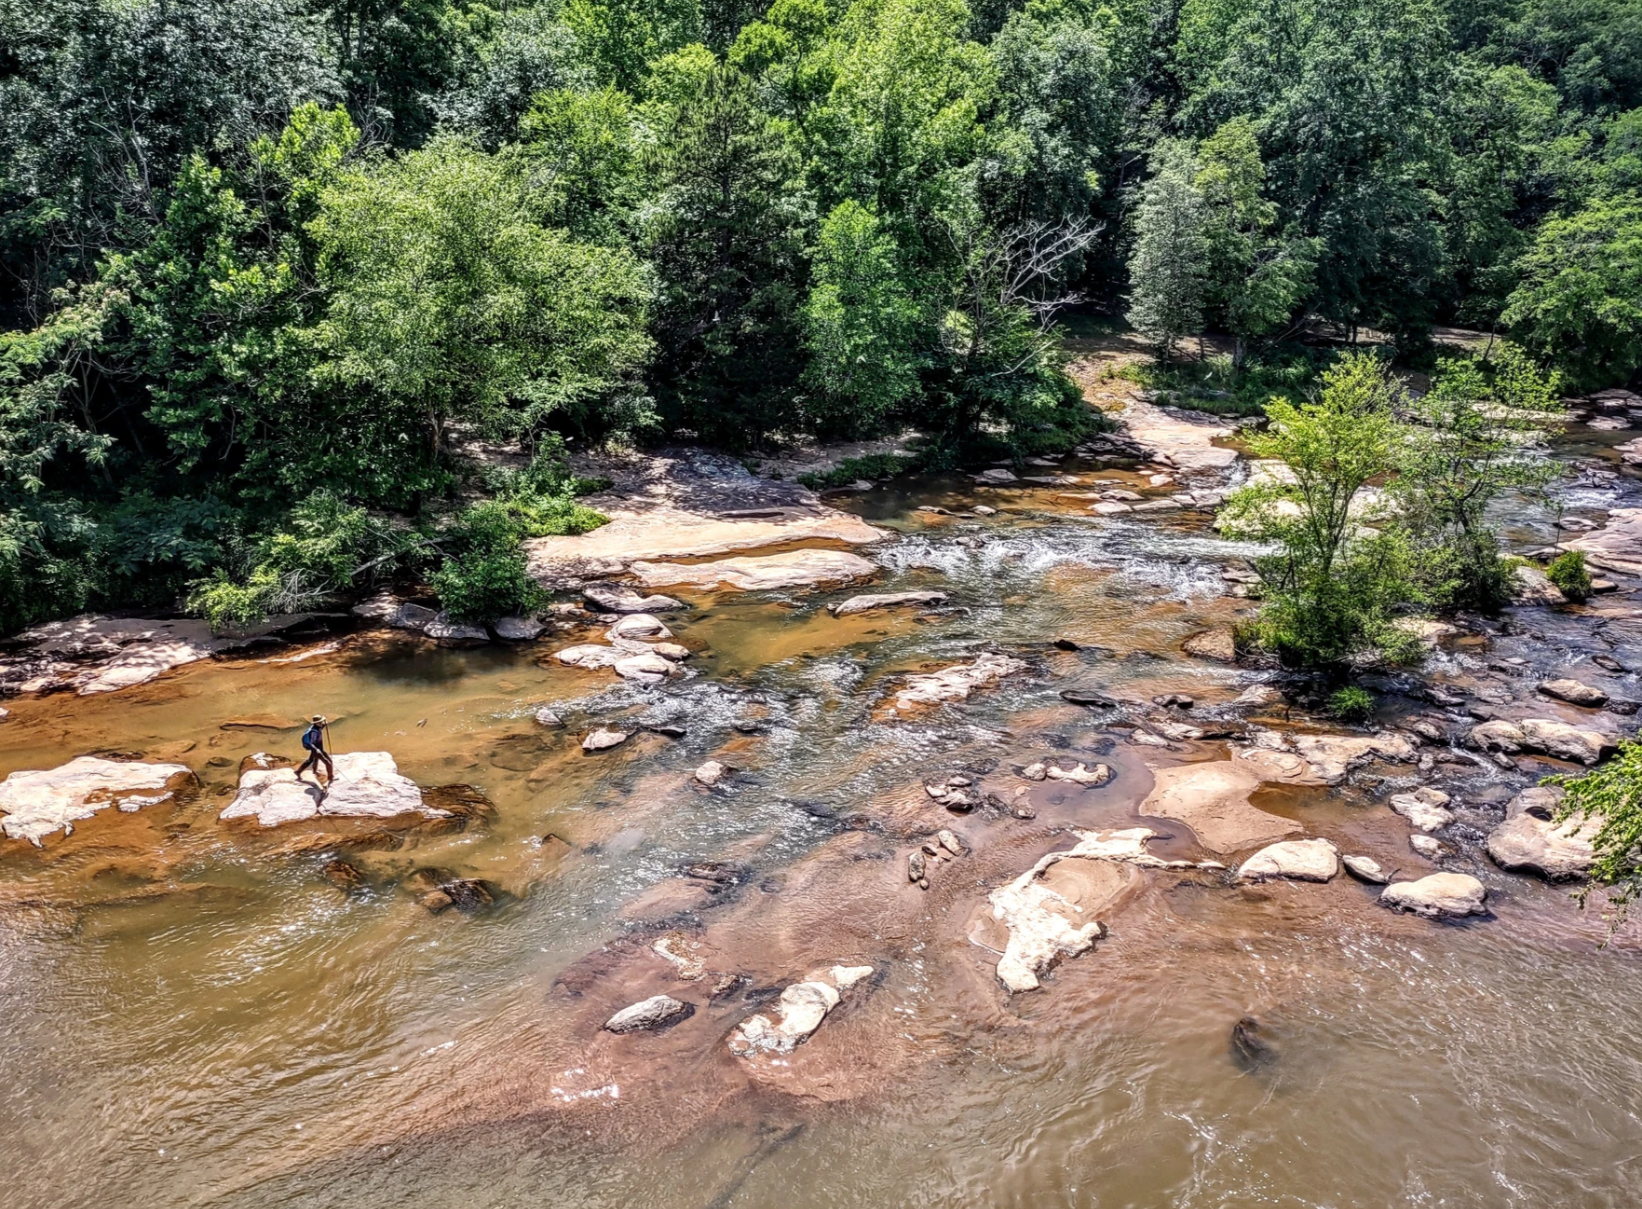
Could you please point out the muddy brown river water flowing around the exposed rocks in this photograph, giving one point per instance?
(191, 1018)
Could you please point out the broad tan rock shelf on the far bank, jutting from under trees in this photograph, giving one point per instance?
(687, 503)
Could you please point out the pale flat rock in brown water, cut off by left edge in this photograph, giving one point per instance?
(39, 804)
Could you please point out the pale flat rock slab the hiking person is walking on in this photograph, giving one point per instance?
(369, 786)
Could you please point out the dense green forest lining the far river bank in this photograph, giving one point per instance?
(268, 267)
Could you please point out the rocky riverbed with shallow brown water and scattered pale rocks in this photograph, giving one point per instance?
(912, 827)
